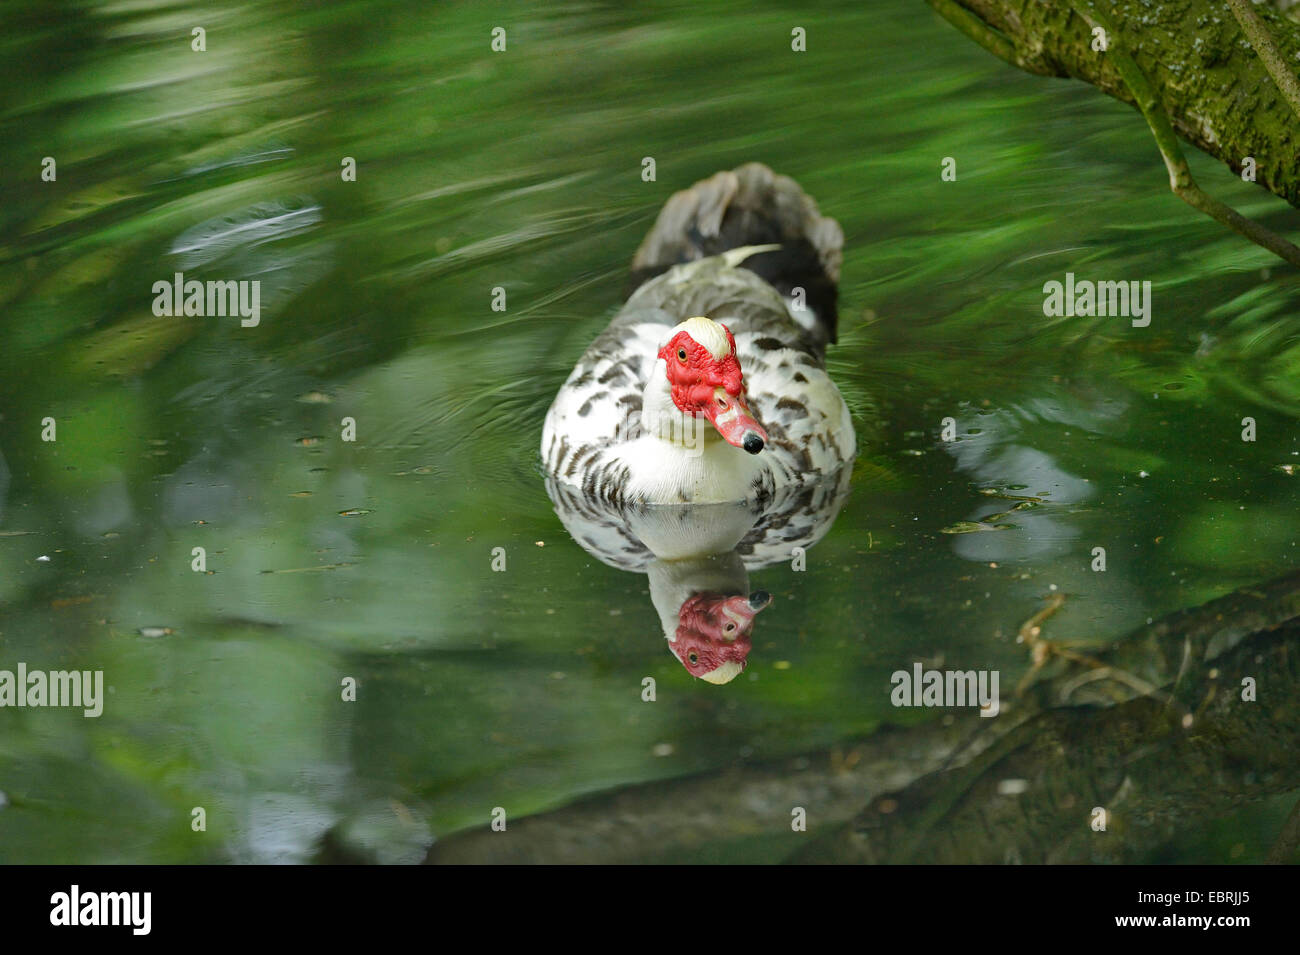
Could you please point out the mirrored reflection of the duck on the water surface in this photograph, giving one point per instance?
(699, 559)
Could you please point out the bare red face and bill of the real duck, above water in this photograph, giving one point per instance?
(714, 388)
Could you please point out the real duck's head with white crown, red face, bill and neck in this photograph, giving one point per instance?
(697, 376)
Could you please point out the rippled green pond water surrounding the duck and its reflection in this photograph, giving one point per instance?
(371, 559)
